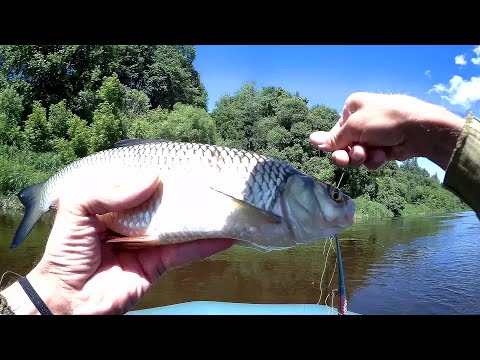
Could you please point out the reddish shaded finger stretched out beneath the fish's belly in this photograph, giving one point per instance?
(158, 260)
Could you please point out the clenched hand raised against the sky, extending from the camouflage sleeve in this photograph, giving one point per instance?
(375, 128)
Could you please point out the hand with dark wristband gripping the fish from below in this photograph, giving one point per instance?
(81, 274)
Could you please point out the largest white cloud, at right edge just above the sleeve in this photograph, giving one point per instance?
(460, 92)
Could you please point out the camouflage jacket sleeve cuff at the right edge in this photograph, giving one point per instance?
(463, 172)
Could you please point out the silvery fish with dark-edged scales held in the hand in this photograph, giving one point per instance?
(204, 191)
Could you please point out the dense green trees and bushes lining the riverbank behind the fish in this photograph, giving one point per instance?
(60, 103)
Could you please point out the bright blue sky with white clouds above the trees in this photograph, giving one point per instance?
(327, 74)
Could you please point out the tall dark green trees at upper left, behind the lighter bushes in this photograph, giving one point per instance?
(52, 73)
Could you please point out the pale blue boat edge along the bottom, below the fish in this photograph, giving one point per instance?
(231, 308)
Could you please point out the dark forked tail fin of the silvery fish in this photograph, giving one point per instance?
(30, 198)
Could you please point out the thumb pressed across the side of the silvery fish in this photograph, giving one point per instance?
(111, 194)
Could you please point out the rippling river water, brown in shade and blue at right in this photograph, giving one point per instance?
(406, 265)
